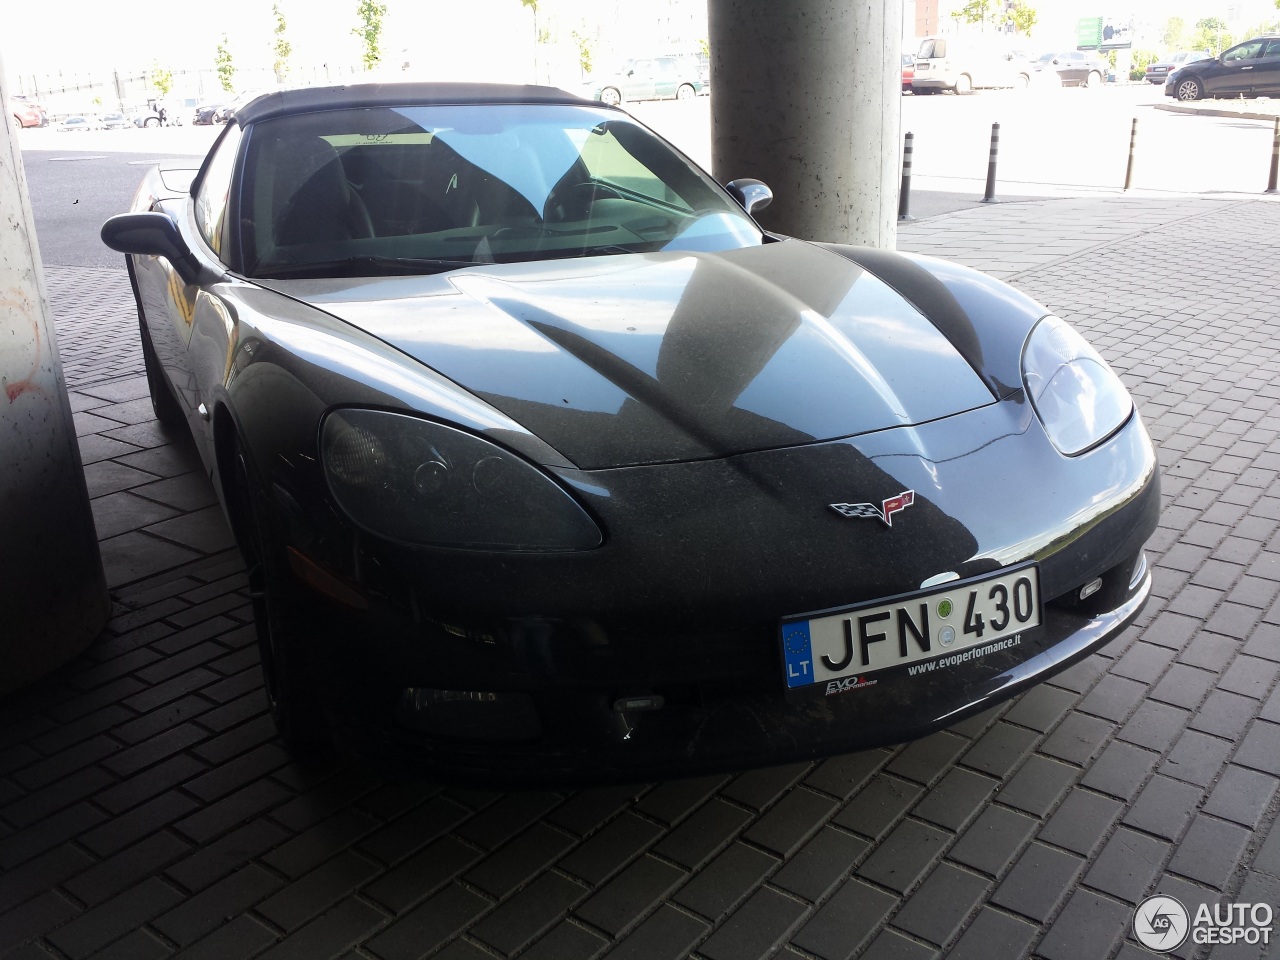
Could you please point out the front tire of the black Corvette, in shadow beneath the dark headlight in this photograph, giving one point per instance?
(291, 697)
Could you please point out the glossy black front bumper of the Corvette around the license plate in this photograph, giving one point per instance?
(660, 656)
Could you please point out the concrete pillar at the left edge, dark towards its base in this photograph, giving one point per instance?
(53, 595)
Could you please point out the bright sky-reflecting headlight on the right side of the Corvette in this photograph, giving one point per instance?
(1076, 395)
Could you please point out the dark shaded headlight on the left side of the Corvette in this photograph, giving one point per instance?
(419, 482)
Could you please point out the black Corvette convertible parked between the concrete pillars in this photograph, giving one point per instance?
(548, 463)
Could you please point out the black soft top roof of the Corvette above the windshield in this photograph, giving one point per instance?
(313, 99)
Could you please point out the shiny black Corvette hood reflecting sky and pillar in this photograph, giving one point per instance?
(661, 358)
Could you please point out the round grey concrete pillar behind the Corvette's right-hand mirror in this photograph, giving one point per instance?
(807, 97)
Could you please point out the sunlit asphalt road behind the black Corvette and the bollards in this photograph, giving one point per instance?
(1054, 143)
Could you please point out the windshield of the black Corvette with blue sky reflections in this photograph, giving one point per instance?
(428, 189)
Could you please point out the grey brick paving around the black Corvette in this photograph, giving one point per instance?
(148, 812)
